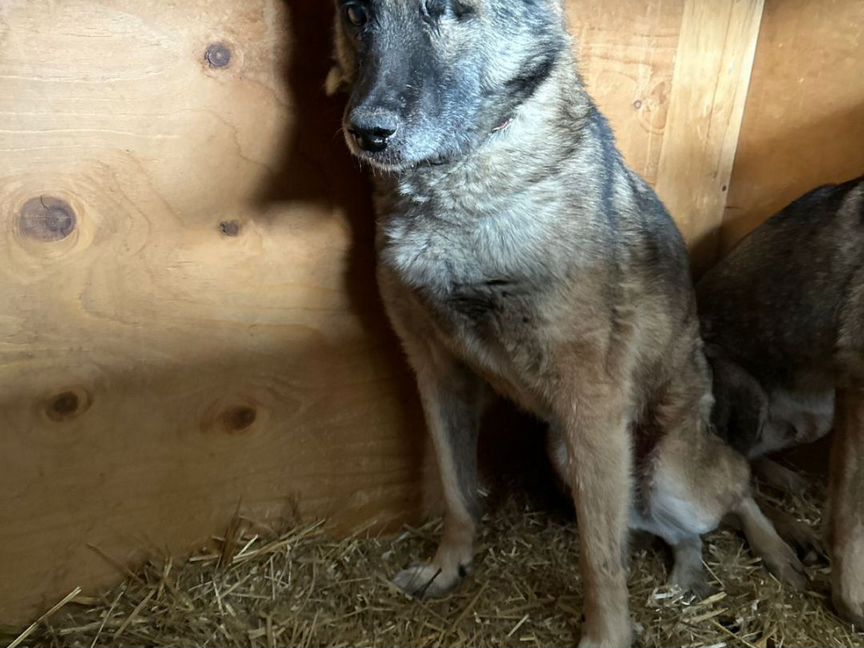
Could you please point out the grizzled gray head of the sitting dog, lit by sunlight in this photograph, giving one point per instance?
(429, 79)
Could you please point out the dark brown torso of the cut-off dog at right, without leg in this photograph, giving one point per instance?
(777, 300)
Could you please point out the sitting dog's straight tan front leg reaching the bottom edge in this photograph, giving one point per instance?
(598, 446)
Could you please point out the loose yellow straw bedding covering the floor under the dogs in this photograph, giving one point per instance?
(303, 588)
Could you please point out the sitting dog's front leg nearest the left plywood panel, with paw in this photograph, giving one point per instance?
(453, 399)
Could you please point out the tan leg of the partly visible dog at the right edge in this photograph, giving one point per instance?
(846, 492)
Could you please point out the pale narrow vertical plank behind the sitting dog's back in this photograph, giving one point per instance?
(709, 88)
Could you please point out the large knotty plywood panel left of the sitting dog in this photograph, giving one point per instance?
(189, 324)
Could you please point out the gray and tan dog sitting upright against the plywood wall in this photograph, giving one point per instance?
(518, 254)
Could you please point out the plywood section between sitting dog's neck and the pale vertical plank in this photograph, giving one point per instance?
(626, 53)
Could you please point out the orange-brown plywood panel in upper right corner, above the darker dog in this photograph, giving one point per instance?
(804, 121)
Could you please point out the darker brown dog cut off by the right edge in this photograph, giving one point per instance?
(783, 321)
